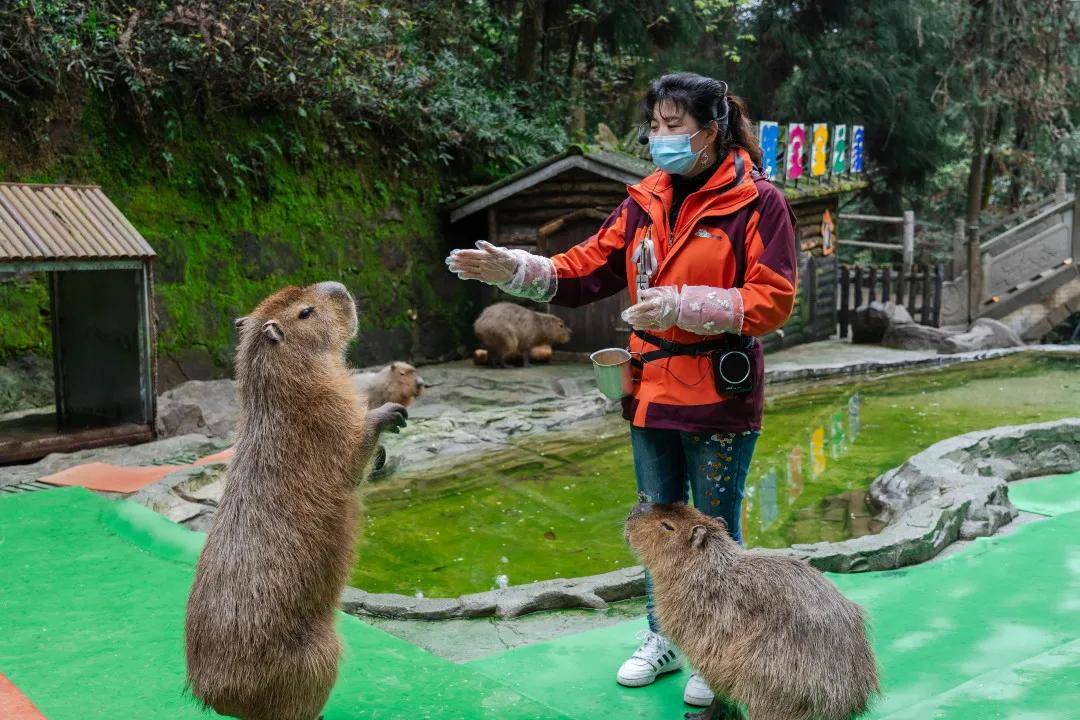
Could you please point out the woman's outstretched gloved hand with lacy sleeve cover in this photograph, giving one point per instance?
(517, 273)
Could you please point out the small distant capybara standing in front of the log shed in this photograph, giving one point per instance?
(508, 330)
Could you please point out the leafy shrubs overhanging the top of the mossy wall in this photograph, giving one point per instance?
(353, 65)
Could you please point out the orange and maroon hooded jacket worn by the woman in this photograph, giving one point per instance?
(736, 232)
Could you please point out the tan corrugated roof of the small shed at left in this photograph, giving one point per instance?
(64, 223)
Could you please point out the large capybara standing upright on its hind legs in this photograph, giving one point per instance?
(261, 639)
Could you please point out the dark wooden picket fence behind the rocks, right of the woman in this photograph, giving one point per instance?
(920, 291)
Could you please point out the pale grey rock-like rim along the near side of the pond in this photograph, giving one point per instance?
(956, 490)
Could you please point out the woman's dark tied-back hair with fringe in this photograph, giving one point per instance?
(706, 100)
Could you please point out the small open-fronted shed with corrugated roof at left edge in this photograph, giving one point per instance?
(101, 280)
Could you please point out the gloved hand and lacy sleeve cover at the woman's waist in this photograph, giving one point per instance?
(699, 309)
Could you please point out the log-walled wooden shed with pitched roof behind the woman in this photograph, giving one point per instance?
(563, 200)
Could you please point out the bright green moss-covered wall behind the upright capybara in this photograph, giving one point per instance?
(276, 223)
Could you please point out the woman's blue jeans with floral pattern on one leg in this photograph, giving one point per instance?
(713, 466)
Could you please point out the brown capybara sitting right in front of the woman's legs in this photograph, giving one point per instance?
(764, 631)
